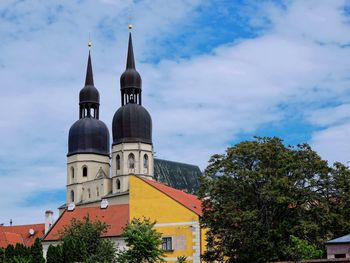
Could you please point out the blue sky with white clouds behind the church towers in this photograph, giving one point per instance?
(214, 73)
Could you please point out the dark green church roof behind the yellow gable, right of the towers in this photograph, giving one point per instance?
(181, 176)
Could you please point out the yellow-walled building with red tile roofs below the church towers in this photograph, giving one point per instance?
(176, 213)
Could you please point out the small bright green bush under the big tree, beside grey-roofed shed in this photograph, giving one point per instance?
(303, 250)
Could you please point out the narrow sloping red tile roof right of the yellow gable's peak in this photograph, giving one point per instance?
(190, 201)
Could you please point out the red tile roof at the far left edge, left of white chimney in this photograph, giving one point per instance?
(20, 234)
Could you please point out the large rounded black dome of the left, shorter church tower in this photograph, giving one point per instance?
(88, 135)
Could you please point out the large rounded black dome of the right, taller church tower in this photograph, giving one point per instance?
(132, 123)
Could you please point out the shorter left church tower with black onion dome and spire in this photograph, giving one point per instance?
(88, 148)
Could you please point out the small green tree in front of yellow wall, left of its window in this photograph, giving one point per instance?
(144, 242)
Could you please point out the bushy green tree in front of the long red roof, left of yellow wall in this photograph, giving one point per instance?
(82, 242)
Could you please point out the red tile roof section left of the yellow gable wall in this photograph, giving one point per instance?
(116, 216)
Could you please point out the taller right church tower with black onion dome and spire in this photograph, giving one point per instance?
(132, 149)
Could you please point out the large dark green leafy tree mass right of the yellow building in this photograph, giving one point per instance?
(261, 192)
